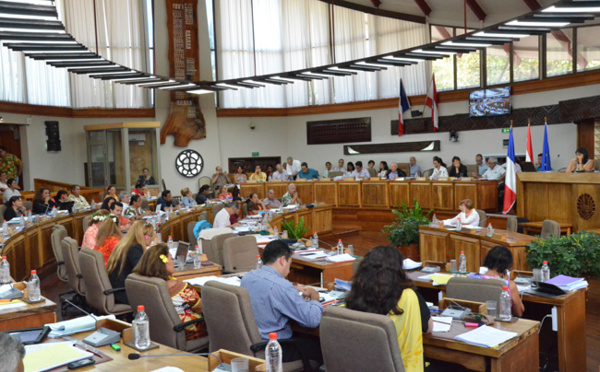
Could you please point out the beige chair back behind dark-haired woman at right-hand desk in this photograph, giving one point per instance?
(478, 290)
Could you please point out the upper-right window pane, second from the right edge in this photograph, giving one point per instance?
(559, 52)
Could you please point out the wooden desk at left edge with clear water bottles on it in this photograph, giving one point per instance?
(28, 316)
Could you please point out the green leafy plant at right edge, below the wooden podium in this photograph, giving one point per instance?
(574, 255)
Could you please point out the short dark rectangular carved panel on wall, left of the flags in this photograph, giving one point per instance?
(338, 131)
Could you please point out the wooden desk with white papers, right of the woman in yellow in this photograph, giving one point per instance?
(517, 354)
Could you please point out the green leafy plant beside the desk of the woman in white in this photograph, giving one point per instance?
(405, 228)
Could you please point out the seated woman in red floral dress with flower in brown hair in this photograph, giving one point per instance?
(158, 263)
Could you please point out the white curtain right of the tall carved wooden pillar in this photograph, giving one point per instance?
(295, 34)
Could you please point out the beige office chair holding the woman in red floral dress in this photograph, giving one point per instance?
(165, 326)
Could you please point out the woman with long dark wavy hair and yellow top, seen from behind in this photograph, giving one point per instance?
(381, 287)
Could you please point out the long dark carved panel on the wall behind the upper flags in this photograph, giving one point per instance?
(463, 122)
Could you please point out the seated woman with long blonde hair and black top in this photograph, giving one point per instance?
(126, 256)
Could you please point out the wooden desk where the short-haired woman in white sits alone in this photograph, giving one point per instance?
(440, 244)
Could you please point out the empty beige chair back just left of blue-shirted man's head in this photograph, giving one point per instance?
(239, 254)
